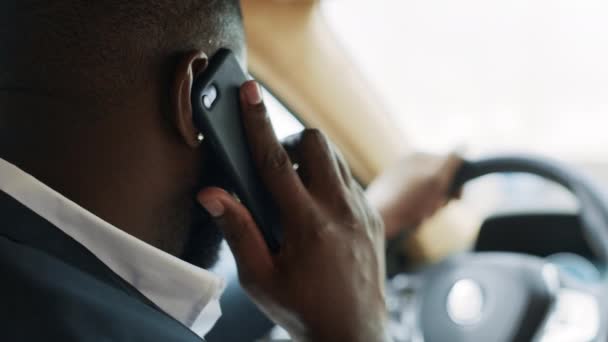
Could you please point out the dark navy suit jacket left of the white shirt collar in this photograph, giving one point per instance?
(53, 289)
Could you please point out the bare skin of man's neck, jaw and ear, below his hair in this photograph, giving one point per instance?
(130, 163)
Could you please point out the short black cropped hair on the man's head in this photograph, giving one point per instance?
(50, 44)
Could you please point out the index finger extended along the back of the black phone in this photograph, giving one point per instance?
(271, 159)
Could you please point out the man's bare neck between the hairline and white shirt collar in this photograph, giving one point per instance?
(74, 151)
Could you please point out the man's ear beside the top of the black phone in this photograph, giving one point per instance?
(188, 67)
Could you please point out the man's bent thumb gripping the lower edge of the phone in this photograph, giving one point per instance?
(242, 234)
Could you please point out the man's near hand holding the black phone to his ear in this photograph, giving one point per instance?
(327, 281)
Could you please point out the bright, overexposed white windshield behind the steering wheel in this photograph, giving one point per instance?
(492, 76)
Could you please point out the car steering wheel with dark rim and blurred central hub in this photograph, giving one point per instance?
(499, 296)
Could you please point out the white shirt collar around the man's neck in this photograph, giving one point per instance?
(187, 293)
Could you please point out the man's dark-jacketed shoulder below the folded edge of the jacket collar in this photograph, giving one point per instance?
(47, 298)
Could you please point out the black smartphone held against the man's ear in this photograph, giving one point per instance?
(217, 114)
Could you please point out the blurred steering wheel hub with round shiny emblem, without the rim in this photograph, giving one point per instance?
(487, 297)
